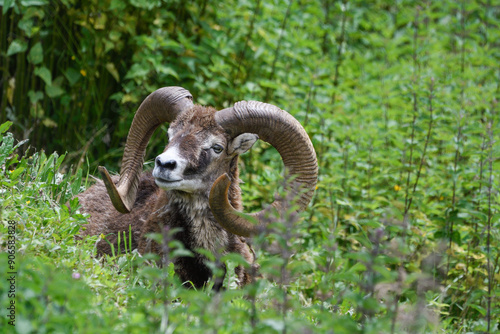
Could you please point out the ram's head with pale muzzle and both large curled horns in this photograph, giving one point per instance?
(203, 147)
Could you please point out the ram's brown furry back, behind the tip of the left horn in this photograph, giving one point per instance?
(104, 219)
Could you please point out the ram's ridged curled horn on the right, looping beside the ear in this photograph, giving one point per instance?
(284, 133)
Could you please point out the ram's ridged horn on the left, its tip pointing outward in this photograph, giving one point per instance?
(163, 105)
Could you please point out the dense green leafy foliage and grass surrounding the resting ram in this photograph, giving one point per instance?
(400, 99)
